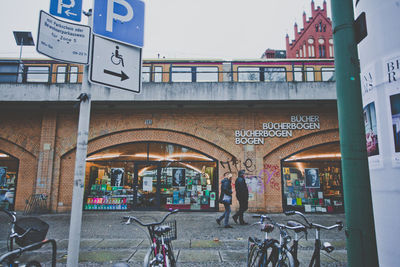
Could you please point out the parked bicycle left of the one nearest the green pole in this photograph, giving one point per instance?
(269, 251)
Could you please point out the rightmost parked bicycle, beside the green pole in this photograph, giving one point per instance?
(316, 257)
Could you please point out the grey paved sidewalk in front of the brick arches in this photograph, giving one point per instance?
(201, 241)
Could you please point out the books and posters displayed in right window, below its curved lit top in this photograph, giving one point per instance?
(312, 187)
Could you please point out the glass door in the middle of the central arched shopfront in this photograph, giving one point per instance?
(146, 185)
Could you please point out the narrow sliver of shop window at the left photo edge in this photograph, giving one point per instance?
(8, 181)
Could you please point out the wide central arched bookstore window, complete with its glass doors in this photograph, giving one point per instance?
(150, 175)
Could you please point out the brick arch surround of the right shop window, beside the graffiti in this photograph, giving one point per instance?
(272, 163)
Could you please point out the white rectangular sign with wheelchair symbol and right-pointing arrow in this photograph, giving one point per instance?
(116, 65)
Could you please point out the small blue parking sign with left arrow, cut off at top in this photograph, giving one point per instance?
(69, 9)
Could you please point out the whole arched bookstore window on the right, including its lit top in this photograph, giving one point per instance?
(312, 180)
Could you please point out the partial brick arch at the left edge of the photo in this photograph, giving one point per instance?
(27, 170)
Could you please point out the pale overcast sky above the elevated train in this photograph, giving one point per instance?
(218, 29)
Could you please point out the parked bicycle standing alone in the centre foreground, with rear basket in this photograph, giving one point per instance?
(161, 234)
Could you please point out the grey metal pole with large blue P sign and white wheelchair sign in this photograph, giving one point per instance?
(113, 64)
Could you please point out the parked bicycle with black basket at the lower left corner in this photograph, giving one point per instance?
(29, 234)
